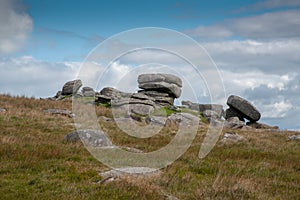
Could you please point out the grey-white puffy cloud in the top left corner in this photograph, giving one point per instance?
(15, 25)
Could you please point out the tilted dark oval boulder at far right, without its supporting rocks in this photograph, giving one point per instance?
(245, 107)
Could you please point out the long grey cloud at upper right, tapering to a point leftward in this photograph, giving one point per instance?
(272, 25)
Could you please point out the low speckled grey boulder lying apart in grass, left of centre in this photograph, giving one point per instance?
(95, 138)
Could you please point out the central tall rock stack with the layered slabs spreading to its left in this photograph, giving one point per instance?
(157, 90)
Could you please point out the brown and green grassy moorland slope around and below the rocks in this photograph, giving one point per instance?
(35, 162)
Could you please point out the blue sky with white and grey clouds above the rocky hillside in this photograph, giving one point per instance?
(254, 44)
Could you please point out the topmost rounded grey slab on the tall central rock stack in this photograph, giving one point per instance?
(168, 78)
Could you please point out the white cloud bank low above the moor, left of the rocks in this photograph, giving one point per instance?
(31, 77)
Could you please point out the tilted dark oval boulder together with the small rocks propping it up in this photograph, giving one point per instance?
(241, 108)
